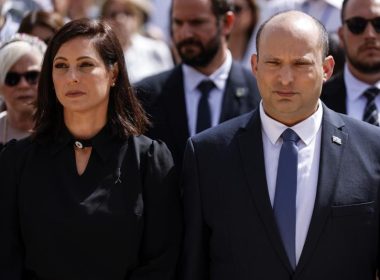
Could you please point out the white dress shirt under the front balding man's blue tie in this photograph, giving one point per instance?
(309, 147)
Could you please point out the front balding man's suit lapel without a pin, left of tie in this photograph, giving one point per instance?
(252, 155)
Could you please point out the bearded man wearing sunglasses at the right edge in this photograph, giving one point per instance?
(356, 91)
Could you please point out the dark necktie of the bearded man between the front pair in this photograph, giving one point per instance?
(204, 112)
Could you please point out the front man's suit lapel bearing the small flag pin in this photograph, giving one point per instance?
(333, 142)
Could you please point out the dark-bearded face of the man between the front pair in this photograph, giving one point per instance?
(195, 31)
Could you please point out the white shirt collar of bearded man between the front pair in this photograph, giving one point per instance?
(192, 77)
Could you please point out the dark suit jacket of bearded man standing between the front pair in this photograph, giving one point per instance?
(163, 98)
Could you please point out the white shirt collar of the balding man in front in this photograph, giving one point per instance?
(306, 130)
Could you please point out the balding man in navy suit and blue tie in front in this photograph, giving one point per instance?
(288, 191)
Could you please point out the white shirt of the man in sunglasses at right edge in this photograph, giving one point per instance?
(356, 101)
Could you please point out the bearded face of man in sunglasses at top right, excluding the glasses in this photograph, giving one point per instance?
(362, 50)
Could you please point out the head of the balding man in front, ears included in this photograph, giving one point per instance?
(290, 70)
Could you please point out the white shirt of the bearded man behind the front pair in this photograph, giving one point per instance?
(192, 78)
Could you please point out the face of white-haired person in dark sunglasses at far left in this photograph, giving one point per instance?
(20, 88)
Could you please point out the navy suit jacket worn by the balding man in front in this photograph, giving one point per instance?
(231, 231)
